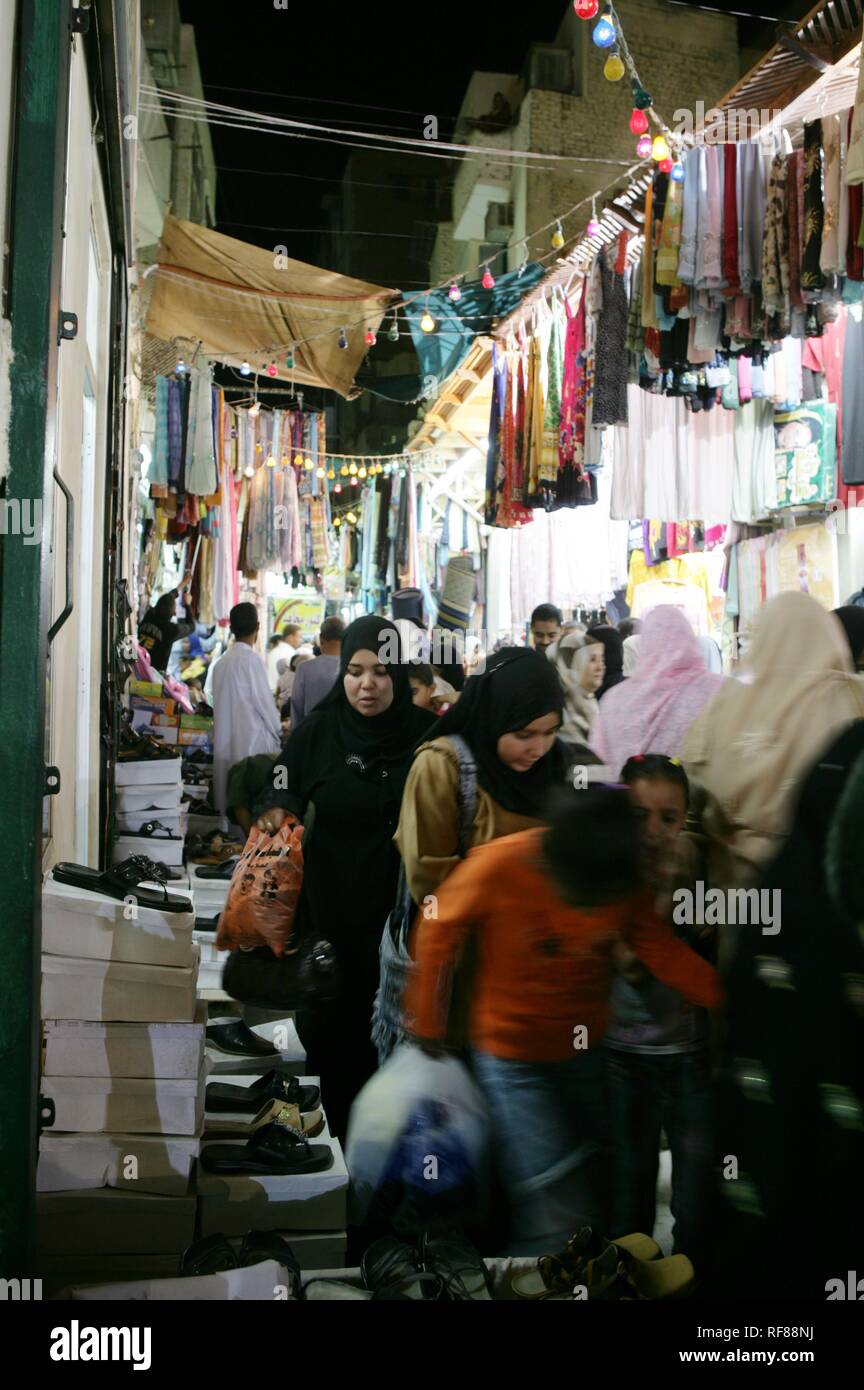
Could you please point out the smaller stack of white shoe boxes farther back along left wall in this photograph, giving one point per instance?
(151, 790)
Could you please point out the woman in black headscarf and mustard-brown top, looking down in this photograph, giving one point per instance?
(509, 719)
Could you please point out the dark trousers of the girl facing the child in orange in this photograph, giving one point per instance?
(648, 1095)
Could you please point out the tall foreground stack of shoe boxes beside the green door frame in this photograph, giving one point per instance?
(123, 1085)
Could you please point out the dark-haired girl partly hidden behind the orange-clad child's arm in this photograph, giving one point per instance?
(658, 1045)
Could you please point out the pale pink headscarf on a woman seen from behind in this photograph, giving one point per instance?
(652, 712)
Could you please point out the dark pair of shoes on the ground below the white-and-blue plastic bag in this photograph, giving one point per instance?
(441, 1268)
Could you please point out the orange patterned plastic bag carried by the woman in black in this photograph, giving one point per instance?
(265, 892)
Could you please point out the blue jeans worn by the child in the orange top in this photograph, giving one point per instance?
(552, 1146)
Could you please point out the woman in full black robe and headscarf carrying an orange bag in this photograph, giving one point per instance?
(349, 761)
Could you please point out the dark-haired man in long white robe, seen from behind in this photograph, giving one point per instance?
(245, 714)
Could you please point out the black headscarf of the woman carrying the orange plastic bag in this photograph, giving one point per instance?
(374, 742)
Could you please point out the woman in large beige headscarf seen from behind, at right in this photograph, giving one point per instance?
(754, 744)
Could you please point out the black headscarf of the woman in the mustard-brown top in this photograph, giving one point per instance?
(517, 687)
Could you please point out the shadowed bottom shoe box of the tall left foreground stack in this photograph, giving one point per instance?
(106, 1223)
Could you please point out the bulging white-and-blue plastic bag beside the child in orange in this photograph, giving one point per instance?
(417, 1146)
